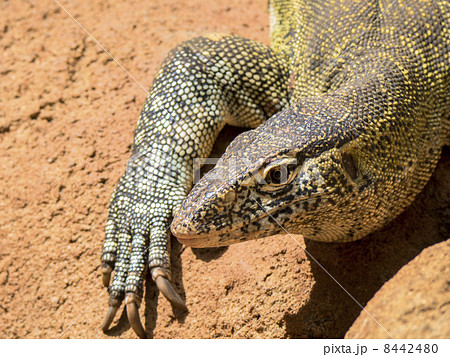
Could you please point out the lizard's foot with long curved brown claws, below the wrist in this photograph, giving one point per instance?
(137, 238)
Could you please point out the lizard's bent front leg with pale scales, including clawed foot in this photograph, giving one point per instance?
(202, 85)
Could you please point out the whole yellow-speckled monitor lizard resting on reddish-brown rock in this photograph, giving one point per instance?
(353, 108)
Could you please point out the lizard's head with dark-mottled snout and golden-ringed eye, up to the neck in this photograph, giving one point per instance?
(300, 171)
